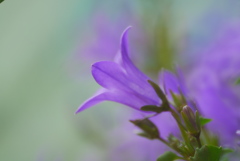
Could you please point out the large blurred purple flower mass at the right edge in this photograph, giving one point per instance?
(211, 83)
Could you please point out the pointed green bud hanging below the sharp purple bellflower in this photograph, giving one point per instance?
(150, 130)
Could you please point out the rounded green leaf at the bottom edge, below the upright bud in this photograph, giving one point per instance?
(207, 153)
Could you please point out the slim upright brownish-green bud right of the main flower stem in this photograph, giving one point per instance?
(191, 121)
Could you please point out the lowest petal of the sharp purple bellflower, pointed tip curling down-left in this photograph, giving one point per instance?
(115, 96)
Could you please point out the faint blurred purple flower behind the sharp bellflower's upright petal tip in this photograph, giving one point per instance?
(102, 44)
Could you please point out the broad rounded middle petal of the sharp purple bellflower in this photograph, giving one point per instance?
(113, 76)
